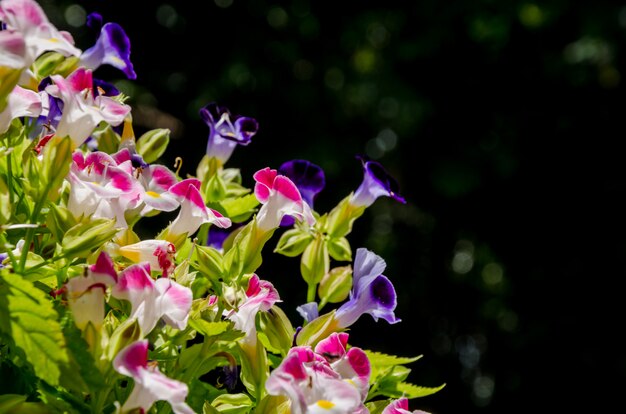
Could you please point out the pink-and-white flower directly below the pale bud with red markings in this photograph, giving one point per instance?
(150, 300)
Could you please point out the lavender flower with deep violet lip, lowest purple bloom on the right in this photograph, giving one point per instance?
(372, 292)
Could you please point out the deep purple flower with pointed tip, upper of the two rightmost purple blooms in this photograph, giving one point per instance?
(376, 183)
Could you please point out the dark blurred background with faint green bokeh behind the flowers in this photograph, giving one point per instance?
(503, 123)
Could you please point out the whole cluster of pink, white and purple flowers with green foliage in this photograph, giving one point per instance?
(95, 319)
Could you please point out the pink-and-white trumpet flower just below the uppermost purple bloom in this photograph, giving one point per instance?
(83, 106)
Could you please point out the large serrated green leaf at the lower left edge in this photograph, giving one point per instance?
(27, 316)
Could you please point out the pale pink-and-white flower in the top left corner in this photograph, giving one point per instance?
(28, 19)
